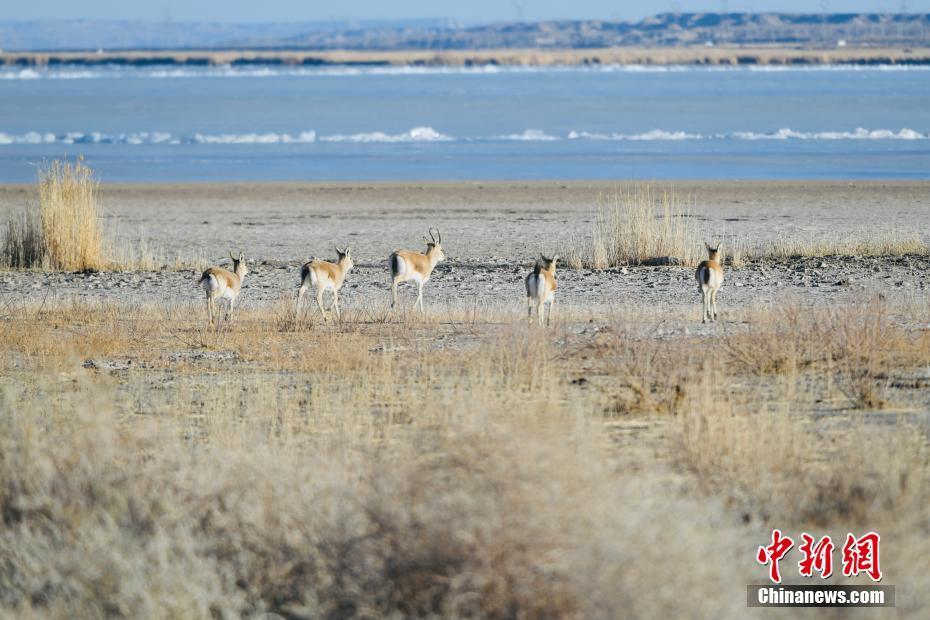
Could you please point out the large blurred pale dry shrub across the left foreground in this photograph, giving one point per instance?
(480, 516)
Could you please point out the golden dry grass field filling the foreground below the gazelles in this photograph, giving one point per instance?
(626, 462)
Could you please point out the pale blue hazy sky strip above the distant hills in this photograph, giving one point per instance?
(469, 10)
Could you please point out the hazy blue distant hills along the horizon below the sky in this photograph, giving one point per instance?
(666, 29)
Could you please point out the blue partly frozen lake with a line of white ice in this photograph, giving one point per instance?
(190, 124)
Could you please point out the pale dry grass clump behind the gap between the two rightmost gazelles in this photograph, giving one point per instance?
(635, 226)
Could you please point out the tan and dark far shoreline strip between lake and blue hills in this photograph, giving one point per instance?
(698, 55)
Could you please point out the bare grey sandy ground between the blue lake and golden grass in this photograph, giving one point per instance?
(491, 233)
